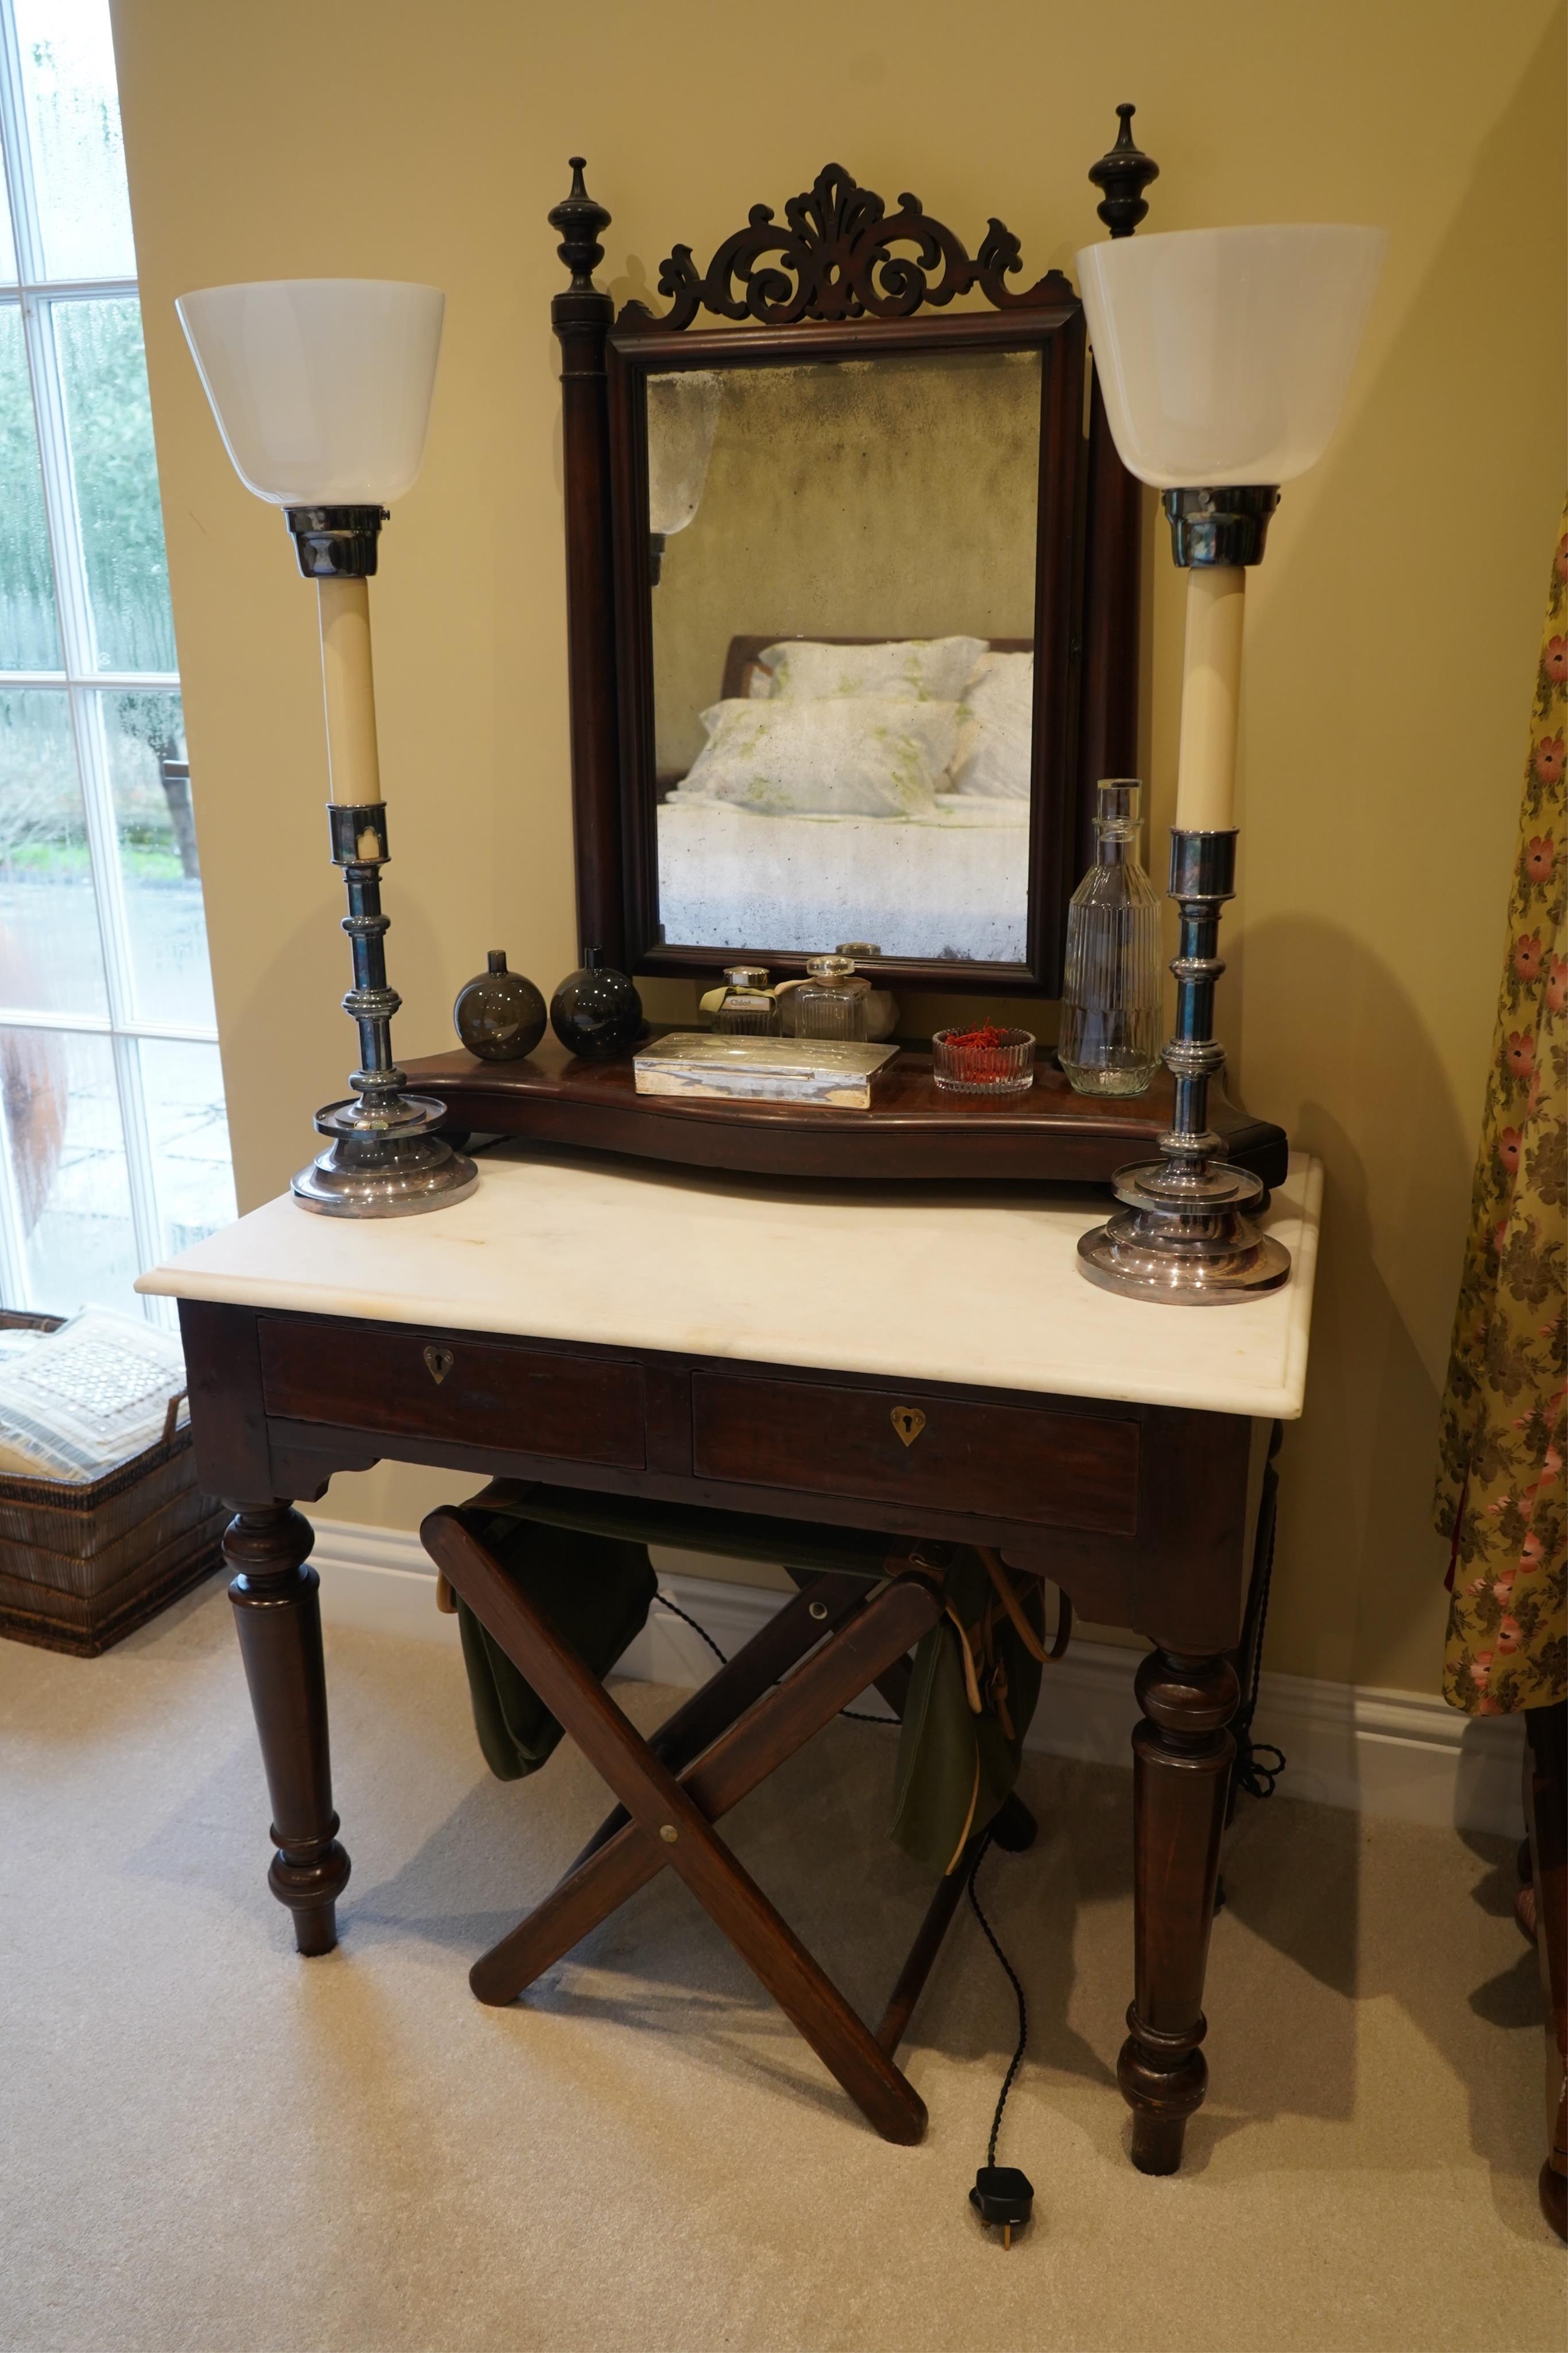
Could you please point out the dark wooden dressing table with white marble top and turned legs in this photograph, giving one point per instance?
(756, 1347)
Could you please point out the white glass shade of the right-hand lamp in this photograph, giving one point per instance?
(1226, 354)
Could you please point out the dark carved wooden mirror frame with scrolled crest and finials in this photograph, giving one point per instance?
(829, 286)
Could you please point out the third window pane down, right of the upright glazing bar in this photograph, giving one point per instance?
(163, 884)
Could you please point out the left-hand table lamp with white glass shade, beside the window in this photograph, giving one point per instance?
(323, 392)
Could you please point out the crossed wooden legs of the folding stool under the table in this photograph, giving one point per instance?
(730, 1738)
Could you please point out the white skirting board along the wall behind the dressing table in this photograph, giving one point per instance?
(1381, 1752)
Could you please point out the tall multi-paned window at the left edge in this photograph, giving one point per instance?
(114, 1142)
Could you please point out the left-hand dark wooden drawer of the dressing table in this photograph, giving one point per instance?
(406, 1385)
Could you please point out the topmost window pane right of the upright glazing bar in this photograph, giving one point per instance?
(74, 124)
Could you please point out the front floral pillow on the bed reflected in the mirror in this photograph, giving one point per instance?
(852, 756)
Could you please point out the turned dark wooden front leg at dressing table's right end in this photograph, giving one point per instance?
(1181, 1773)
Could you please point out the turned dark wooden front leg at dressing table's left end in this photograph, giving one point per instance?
(281, 1641)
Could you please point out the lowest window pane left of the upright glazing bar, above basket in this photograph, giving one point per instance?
(62, 1131)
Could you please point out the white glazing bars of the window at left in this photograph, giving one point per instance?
(81, 684)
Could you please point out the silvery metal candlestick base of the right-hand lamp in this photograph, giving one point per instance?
(1184, 1234)
